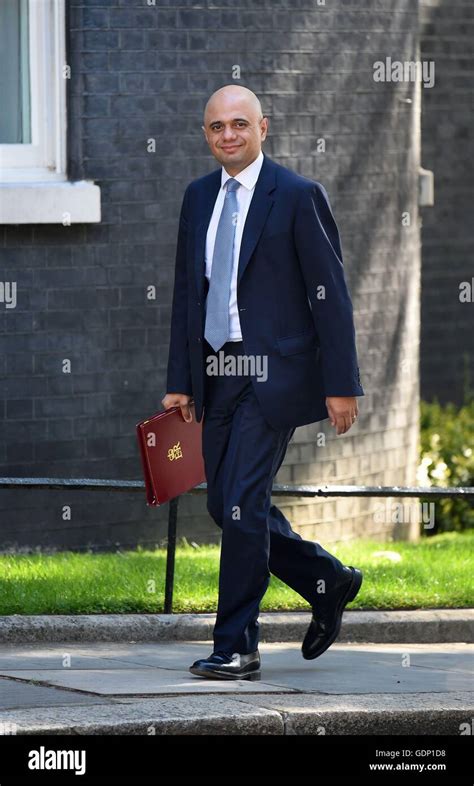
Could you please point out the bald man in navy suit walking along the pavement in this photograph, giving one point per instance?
(259, 276)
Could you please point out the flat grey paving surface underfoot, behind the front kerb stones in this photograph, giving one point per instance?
(148, 669)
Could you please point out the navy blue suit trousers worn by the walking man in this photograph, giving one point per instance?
(242, 454)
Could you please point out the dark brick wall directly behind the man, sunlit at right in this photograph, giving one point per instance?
(143, 72)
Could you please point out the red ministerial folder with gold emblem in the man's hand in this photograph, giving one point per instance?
(171, 454)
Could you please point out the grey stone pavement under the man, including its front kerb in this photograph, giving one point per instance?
(146, 688)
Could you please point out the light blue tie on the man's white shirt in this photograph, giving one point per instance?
(216, 330)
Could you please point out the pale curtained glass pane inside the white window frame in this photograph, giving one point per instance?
(15, 125)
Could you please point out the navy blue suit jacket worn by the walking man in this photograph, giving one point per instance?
(294, 304)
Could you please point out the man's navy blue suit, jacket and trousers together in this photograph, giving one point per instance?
(294, 309)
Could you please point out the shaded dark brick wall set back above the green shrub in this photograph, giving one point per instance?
(447, 357)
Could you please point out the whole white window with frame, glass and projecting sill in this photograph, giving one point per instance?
(33, 71)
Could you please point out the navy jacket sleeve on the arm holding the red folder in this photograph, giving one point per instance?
(178, 372)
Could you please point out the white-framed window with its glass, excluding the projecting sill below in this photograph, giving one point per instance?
(32, 127)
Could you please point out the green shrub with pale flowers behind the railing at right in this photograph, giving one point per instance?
(447, 459)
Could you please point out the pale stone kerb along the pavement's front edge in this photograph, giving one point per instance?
(383, 713)
